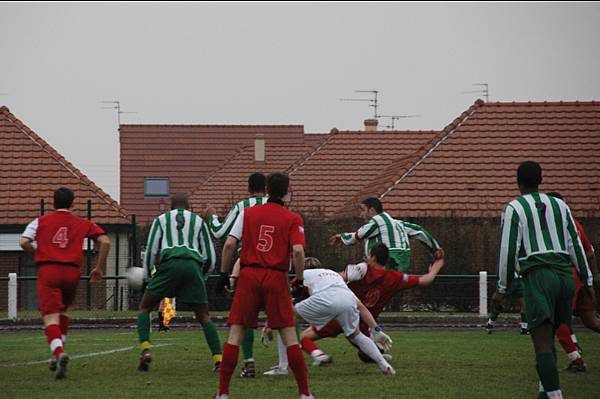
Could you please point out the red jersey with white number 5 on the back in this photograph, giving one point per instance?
(269, 232)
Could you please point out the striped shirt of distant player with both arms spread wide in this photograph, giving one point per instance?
(393, 233)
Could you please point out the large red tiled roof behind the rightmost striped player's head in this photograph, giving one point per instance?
(472, 172)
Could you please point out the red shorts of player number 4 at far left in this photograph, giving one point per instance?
(57, 285)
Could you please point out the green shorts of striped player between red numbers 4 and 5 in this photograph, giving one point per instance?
(180, 278)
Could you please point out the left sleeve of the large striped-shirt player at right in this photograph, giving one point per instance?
(509, 248)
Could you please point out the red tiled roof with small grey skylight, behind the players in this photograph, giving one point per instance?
(159, 160)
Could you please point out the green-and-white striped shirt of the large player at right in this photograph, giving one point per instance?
(538, 231)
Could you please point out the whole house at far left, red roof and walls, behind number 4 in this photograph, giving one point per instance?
(31, 170)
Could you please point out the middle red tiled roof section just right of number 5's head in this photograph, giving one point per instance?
(344, 163)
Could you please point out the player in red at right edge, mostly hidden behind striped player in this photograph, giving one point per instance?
(583, 305)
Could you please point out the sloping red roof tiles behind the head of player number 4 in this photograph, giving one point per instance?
(32, 170)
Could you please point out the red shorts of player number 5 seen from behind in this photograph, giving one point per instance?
(257, 287)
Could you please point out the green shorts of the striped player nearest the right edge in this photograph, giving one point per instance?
(548, 294)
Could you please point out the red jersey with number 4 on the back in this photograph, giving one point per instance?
(59, 236)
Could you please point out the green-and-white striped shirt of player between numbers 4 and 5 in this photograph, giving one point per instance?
(179, 234)
